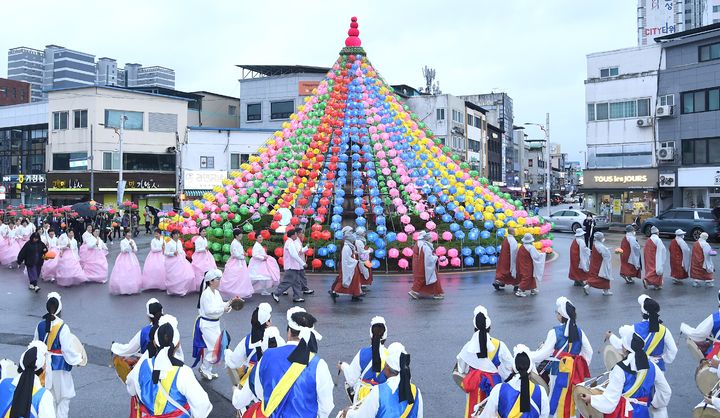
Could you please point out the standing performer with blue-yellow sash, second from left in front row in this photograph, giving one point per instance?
(58, 339)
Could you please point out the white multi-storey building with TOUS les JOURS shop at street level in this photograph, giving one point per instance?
(621, 105)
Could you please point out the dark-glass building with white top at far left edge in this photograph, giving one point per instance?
(23, 138)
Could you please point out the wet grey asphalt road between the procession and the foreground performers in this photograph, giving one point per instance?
(433, 331)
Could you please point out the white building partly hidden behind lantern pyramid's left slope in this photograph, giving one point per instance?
(209, 154)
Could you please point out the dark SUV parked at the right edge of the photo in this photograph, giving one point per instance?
(694, 221)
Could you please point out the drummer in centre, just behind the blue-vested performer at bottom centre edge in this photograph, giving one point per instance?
(366, 369)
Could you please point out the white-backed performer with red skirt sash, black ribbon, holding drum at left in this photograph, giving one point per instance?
(484, 361)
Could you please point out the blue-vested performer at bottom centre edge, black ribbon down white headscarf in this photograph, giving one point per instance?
(397, 396)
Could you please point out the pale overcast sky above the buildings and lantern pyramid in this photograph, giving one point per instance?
(534, 50)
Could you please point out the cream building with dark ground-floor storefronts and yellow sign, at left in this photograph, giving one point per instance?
(83, 151)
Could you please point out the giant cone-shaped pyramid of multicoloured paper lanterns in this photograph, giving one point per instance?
(354, 155)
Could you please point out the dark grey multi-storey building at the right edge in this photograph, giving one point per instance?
(689, 137)
